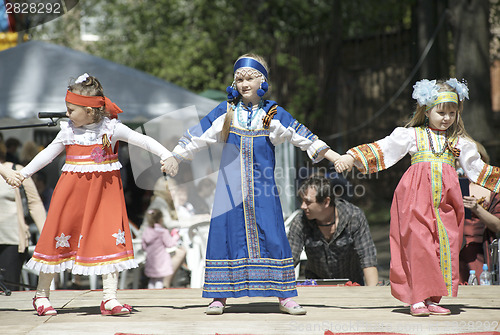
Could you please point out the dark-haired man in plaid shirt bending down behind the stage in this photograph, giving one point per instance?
(335, 235)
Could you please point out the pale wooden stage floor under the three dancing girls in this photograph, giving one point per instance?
(339, 309)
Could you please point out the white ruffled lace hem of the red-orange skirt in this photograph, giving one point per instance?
(82, 270)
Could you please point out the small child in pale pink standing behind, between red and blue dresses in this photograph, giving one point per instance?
(155, 241)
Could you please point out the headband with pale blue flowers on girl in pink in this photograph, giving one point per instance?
(426, 92)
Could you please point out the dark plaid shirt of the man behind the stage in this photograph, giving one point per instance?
(350, 250)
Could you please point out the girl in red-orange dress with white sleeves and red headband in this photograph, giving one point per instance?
(87, 228)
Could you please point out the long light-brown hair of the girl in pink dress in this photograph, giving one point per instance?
(457, 129)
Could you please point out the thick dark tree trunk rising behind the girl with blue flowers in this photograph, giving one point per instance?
(471, 35)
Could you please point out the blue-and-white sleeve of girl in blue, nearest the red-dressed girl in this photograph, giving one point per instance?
(202, 135)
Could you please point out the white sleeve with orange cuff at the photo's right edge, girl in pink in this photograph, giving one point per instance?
(475, 169)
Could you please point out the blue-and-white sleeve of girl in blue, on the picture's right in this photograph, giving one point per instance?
(284, 127)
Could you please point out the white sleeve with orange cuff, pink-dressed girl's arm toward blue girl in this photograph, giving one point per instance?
(384, 153)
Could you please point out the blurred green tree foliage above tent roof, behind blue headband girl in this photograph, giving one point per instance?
(194, 43)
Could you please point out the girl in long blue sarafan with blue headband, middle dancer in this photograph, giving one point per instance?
(248, 253)
